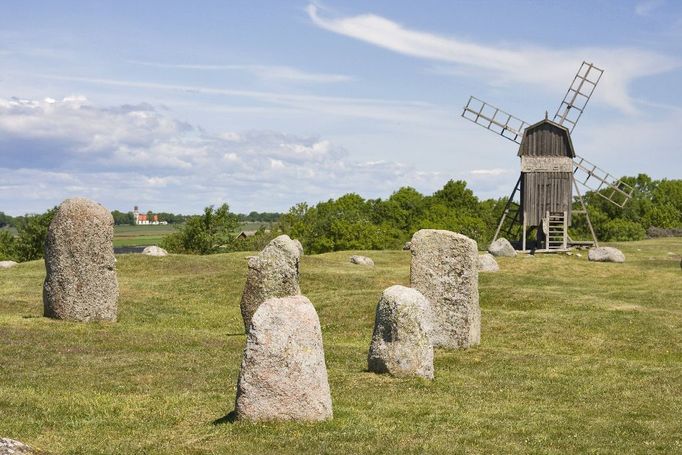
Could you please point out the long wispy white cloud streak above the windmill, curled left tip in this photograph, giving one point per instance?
(551, 69)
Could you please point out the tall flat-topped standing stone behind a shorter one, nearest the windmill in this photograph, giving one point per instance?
(445, 270)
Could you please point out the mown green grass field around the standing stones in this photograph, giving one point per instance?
(575, 357)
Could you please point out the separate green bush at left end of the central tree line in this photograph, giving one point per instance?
(204, 234)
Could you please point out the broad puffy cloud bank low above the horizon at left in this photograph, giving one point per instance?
(127, 155)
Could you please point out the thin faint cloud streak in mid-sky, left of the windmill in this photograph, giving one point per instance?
(263, 72)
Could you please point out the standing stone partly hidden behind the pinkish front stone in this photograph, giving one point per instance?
(273, 273)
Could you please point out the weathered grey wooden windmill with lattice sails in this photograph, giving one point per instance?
(550, 169)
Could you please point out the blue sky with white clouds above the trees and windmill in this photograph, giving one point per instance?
(176, 105)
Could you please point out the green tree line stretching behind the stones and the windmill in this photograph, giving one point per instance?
(352, 222)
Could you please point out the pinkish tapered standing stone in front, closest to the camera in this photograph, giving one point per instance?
(283, 375)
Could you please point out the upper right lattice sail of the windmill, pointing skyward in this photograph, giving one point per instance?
(577, 96)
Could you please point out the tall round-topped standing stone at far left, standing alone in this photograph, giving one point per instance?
(81, 280)
